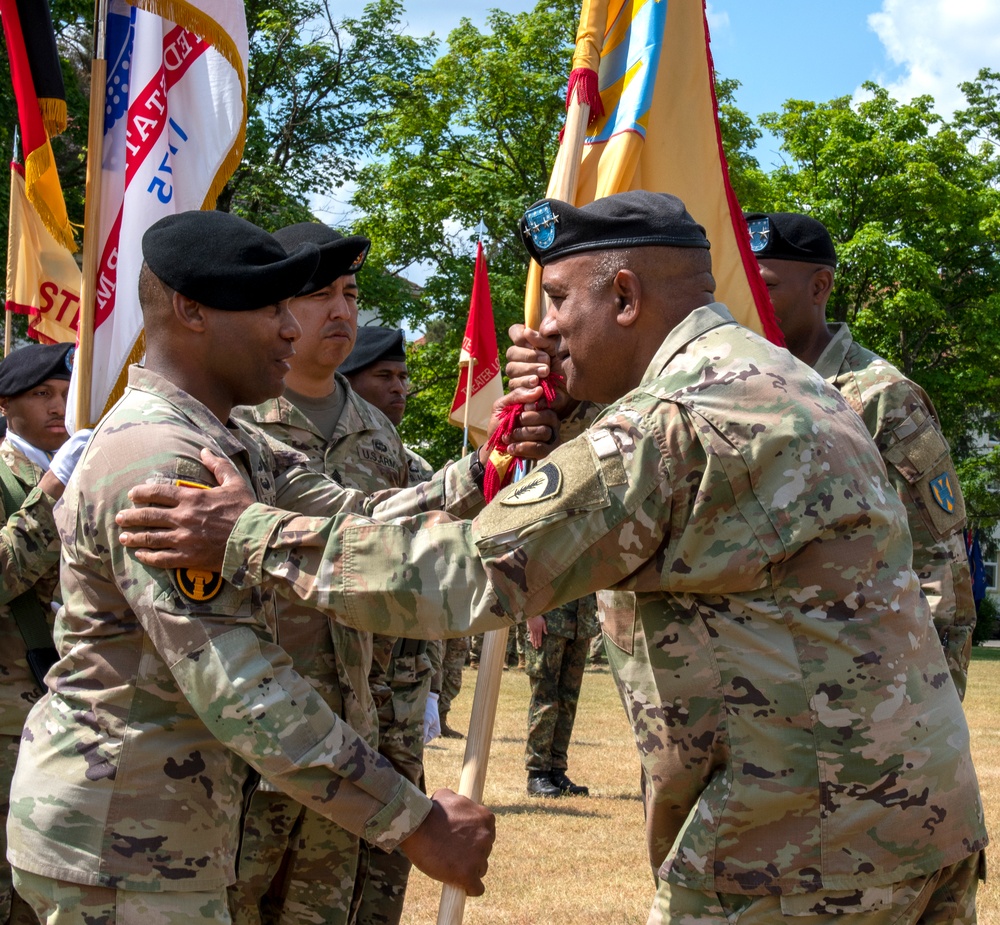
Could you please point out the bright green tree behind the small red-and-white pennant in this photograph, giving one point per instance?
(475, 141)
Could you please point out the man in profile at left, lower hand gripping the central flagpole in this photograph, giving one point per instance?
(133, 771)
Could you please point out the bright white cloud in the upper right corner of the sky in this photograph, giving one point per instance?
(938, 44)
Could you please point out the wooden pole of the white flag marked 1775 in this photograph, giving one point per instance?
(84, 362)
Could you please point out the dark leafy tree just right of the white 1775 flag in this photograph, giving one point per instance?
(315, 88)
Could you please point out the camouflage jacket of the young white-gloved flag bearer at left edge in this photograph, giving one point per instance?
(29, 557)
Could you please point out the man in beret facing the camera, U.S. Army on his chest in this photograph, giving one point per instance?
(295, 864)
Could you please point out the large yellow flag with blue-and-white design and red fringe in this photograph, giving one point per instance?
(657, 128)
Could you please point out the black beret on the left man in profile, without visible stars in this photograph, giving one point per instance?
(225, 262)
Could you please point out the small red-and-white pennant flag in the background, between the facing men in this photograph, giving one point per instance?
(472, 406)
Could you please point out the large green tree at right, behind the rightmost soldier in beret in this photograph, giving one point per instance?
(913, 209)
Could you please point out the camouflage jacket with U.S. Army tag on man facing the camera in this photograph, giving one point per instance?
(365, 453)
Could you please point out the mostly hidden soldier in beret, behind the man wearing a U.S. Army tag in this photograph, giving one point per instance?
(376, 369)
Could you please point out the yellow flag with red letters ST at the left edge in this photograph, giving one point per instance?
(43, 280)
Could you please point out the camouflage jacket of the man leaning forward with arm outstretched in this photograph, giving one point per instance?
(761, 569)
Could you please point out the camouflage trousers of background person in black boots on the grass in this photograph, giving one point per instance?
(556, 673)
